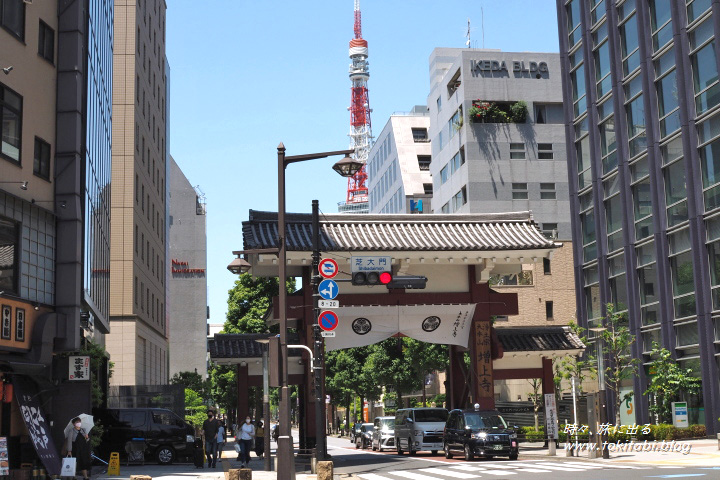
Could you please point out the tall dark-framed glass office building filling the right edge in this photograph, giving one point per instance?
(642, 113)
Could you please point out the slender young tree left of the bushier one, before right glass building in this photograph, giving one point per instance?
(617, 341)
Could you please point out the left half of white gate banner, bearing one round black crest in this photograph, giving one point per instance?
(360, 326)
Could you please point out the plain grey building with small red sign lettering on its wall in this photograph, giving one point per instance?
(188, 276)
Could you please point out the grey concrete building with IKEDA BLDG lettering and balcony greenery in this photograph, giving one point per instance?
(497, 162)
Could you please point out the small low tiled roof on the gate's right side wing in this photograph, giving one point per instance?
(535, 339)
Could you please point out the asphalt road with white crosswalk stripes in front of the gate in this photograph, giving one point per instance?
(369, 465)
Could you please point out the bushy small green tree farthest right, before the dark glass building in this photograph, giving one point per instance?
(669, 383)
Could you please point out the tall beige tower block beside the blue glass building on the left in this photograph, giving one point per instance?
(138, 342)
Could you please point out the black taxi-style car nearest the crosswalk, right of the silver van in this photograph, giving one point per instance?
(482, 433)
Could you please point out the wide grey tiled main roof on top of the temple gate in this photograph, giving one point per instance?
(362, 232)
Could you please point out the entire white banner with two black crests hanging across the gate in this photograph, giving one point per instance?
(361, 326)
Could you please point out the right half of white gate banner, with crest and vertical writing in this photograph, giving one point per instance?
(445, 324)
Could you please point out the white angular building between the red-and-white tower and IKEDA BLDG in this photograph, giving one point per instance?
(399, 165)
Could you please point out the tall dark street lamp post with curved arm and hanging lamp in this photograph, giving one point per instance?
(346, 167)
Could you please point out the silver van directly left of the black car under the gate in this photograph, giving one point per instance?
(419, 429)
